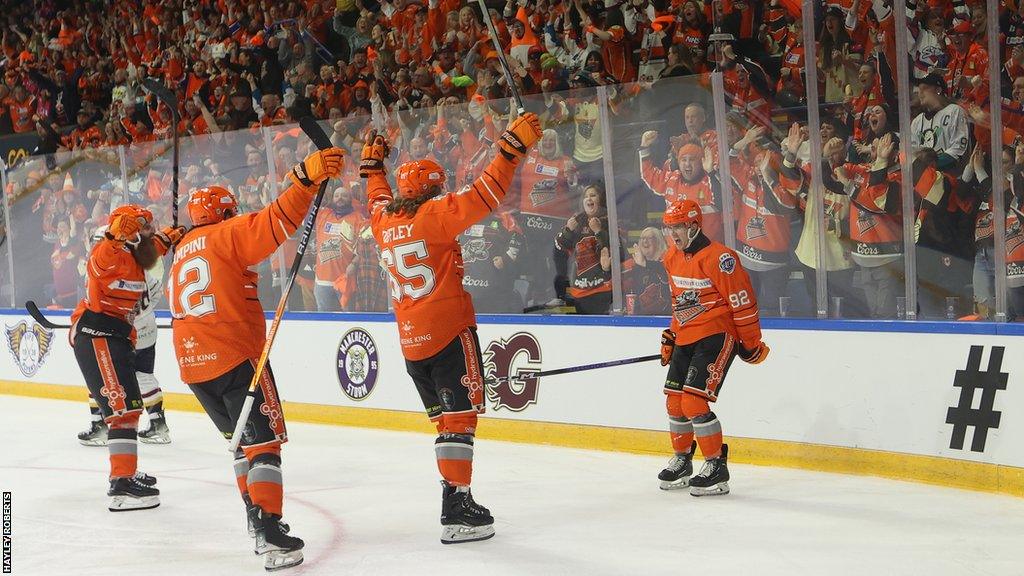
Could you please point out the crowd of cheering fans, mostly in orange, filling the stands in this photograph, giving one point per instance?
(428, 73)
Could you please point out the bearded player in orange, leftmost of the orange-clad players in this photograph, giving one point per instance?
(105, 343)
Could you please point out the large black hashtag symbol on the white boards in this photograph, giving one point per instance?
(969, 382)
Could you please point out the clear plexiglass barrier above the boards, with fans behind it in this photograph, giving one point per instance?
(852, 183)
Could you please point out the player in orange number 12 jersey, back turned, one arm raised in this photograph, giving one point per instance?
(220, 332)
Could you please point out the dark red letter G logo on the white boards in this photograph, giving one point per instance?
(507, 367)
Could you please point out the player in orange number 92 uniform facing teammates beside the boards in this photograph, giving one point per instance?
(714, 319)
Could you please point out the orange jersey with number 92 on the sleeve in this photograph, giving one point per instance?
(711, 295)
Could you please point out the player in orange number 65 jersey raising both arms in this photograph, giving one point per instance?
(417, 232)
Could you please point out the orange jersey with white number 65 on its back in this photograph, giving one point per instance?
(424, 259)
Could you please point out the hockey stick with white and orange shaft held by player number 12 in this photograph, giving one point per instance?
(321, 140)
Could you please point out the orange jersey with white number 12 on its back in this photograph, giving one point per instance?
(219, 320)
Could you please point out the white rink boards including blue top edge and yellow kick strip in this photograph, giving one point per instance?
(931, 402)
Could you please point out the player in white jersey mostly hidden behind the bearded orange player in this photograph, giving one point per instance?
(146, 355)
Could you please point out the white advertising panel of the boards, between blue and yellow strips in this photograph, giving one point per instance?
(935, 395)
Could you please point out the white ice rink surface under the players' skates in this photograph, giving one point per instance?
(368, 503)
